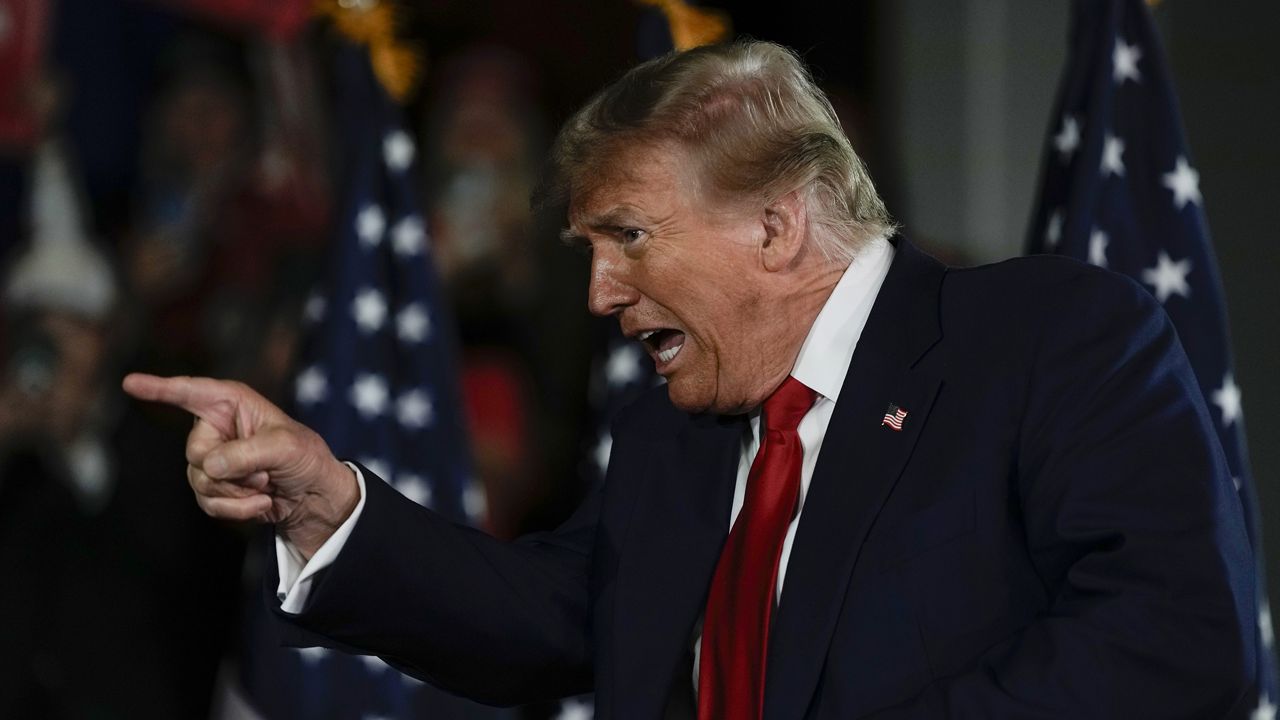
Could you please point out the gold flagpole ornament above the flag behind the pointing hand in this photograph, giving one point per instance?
(397, 65)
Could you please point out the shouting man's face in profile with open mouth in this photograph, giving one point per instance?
(685, 277)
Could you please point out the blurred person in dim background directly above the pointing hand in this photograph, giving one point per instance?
(231, 213)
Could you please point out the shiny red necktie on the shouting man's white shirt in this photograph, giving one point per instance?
(737, 625)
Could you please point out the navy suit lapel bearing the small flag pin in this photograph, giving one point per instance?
(857, 470)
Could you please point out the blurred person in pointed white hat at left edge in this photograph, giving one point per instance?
(95, 545)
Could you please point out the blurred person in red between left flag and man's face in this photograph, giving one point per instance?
(486, 136)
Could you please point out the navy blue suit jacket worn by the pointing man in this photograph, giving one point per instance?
(1054, 534)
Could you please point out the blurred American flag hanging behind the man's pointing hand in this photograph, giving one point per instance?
(378, 382)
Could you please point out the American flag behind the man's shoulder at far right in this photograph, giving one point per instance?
(1119, 190)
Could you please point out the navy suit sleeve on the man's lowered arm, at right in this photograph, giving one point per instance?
(1133, 526)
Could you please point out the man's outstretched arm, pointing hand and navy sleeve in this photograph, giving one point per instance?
(501, 623)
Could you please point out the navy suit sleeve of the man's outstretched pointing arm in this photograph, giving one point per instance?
(500, 623)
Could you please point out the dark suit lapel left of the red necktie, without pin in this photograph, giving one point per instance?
(675, 540)
